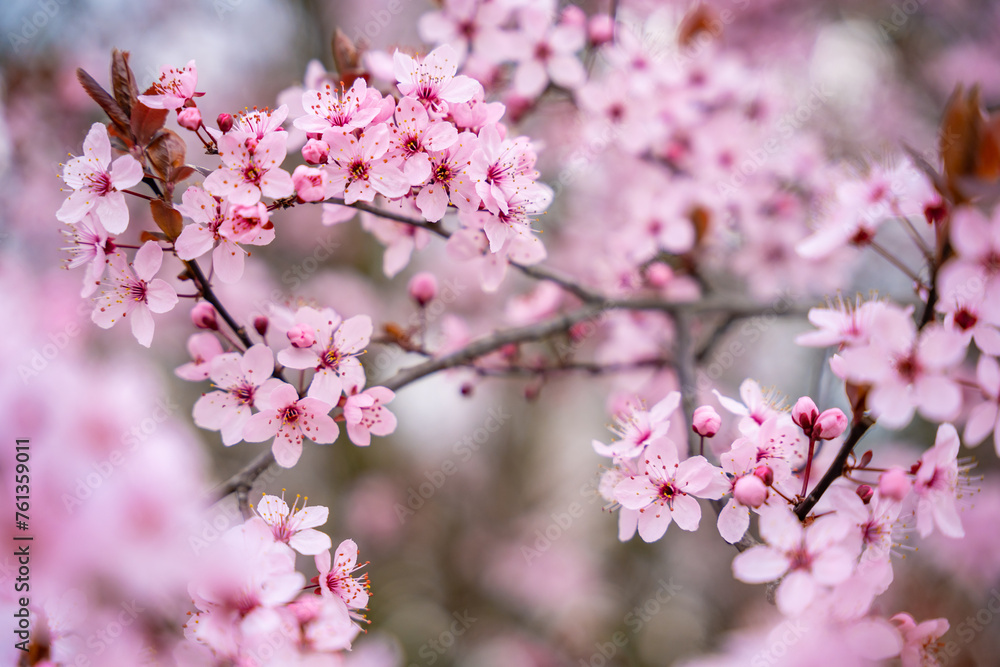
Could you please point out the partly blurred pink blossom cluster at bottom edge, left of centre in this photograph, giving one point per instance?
(249, 593)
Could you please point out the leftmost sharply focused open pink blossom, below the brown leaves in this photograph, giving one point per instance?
(97, 183)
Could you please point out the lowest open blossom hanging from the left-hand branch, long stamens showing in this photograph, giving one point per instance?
(138, 294)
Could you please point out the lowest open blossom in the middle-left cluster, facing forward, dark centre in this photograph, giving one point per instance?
(287, 419)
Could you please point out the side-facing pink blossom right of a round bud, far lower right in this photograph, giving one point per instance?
(938, 486)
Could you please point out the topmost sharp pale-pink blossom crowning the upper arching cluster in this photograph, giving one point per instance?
(432, 80)
